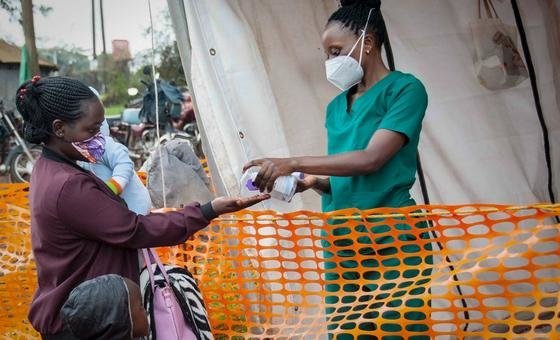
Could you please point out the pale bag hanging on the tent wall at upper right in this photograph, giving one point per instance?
(498, 64)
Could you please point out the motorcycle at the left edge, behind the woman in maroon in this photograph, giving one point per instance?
(17, 156)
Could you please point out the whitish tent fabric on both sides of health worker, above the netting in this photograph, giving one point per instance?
(266, 80)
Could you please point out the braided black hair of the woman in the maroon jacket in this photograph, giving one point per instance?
(42, 100)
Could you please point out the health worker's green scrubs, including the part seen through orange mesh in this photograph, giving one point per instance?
(397, 103)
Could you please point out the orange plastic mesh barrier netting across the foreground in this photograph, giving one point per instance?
(475, 272)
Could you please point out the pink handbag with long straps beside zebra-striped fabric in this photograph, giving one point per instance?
(169, 321)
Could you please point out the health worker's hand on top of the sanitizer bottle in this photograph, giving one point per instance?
(271, 169)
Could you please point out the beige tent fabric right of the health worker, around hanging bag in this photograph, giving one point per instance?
(477, 145)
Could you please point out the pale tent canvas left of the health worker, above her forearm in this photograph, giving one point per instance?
(237, 95)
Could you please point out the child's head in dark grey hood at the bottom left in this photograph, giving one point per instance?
(106, 307)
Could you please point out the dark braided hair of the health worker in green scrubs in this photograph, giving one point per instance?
(353, 14)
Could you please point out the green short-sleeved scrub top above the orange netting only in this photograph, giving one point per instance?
(397, 103)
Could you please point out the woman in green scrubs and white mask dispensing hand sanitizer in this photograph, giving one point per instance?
(373, 128)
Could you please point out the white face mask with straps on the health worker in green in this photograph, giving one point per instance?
(344, 71)
